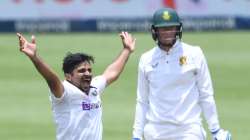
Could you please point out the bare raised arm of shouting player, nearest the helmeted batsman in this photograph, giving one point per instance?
(113, 71)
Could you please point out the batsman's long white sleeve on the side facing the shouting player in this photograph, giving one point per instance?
(142, 102)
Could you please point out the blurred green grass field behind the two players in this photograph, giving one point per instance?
(25, 111)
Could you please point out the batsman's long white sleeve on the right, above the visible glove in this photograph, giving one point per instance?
(206, 93)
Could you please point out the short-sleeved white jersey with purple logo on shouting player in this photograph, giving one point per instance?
(78, 116)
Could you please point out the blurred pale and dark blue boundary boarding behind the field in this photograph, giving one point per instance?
(117, 15)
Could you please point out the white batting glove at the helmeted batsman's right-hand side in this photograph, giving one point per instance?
(221, 135)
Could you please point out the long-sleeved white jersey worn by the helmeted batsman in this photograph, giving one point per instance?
(174, 88)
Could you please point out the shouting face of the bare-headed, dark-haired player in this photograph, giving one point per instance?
(81, 76)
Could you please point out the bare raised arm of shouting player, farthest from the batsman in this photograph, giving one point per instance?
(48, 74)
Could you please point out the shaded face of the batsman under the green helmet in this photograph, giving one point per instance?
(167, 35)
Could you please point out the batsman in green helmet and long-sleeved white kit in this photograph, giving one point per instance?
(174, 87)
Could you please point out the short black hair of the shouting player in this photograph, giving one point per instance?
(72, 60)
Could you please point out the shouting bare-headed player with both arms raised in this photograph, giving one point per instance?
(76, 101)
